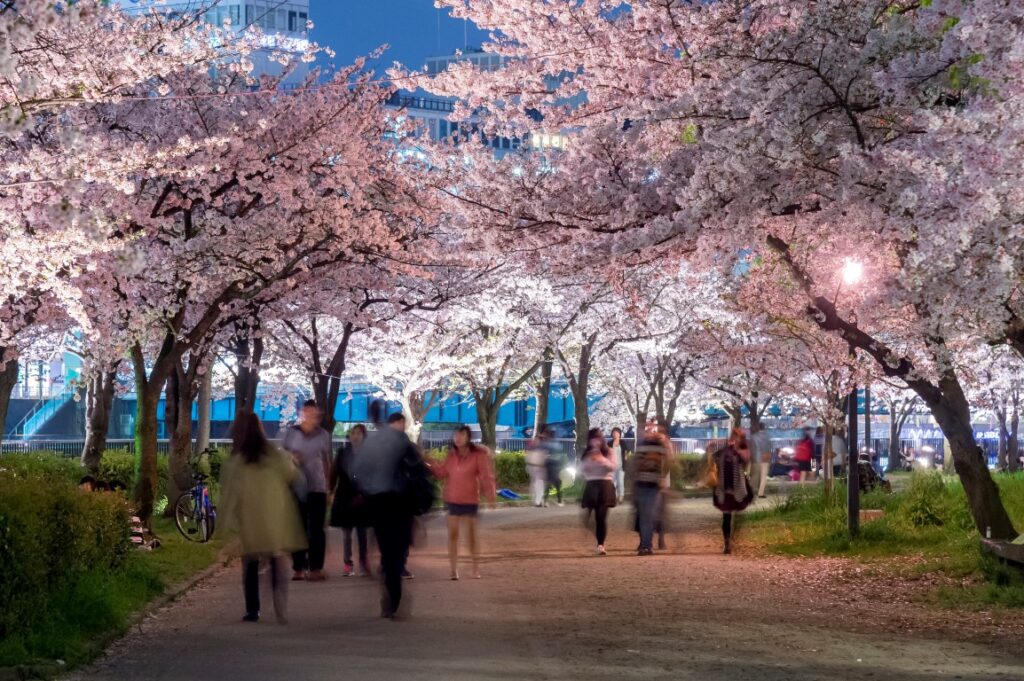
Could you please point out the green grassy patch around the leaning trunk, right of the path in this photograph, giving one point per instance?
(927, 529)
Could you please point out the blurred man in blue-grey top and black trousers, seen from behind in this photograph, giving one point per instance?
(383, 470)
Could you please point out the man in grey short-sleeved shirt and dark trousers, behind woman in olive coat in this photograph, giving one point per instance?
(311, 446)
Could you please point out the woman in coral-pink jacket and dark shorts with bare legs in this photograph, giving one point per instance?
(468, 476)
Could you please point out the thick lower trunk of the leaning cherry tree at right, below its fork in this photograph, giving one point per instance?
(954, 417)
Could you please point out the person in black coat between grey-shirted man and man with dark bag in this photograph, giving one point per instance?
(349, 510)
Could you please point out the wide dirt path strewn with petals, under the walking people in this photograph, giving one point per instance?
(548, 609)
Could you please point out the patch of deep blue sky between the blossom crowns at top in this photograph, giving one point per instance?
(354, 28)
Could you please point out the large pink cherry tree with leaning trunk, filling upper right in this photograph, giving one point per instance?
(809, 132)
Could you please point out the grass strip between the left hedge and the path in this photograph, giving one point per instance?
(88, 611)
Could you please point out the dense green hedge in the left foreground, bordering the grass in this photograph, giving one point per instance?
(53, 535)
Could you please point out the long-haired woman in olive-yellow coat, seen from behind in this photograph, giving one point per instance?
(259, 505)
